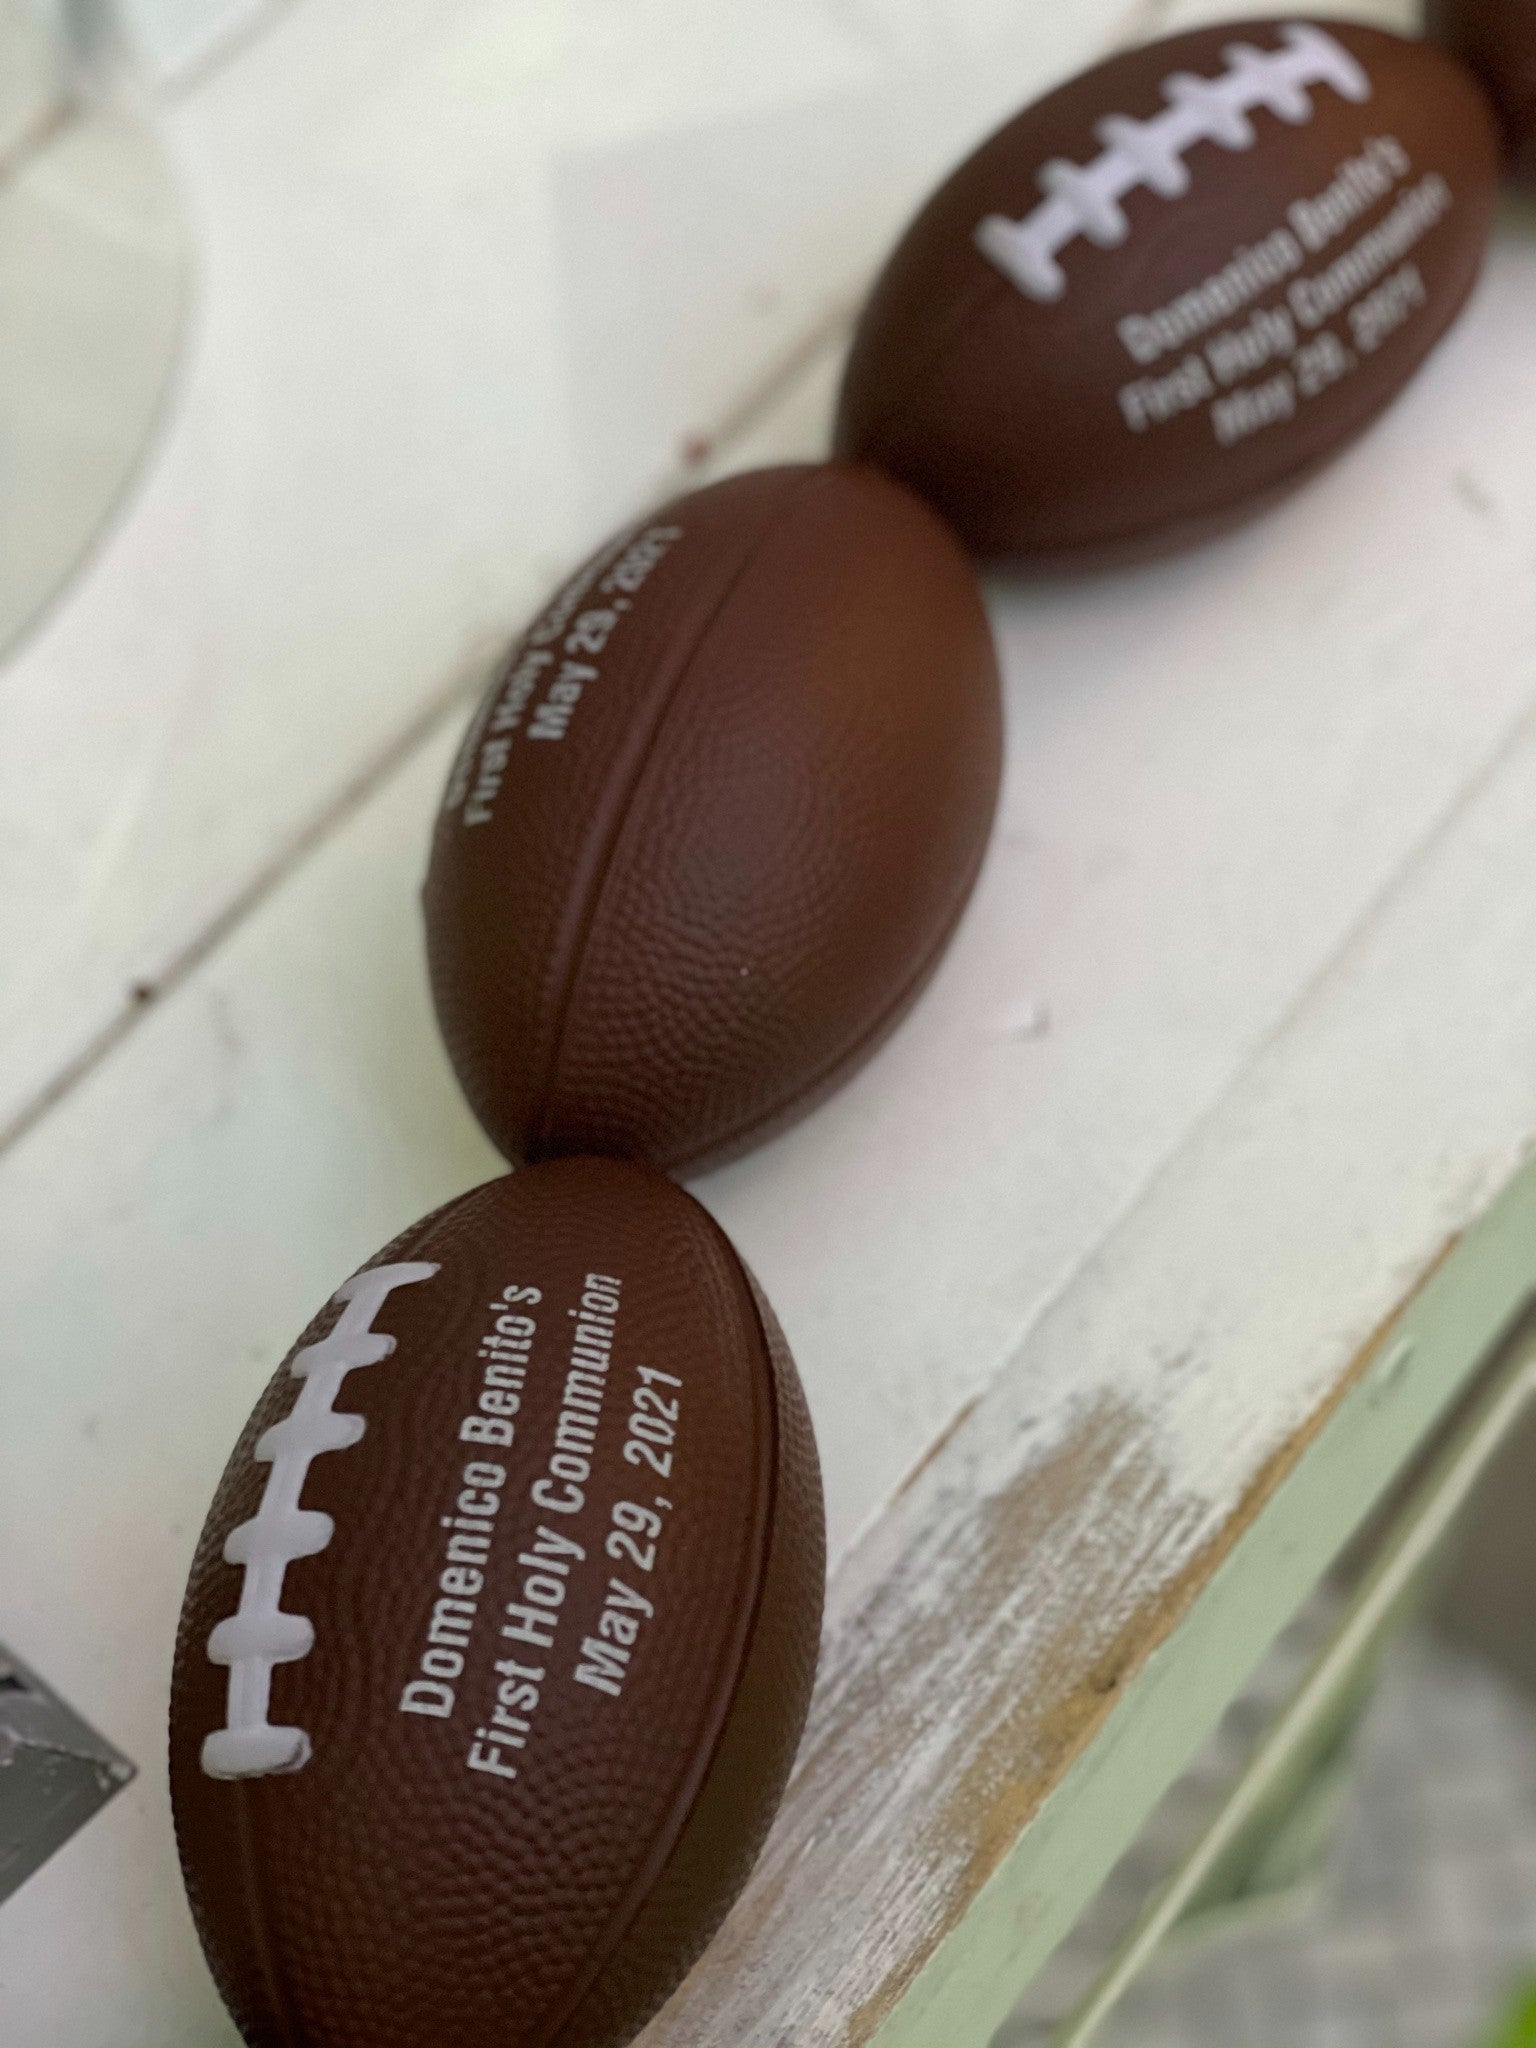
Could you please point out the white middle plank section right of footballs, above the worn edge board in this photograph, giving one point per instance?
(1218, 767)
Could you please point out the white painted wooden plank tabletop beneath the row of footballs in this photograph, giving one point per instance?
(1240, 1029)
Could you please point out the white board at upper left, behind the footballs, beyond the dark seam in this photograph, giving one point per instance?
(474, 280)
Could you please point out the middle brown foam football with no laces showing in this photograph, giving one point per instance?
(718, 820)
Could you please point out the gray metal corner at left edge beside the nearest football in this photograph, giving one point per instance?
(56, 1773)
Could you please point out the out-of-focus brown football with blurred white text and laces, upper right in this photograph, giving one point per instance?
(1175, 288)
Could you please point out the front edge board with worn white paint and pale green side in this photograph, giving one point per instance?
(994, 1719)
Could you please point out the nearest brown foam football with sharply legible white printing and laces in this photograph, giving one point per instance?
(503, 1629)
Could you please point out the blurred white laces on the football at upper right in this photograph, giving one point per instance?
(1086, 200)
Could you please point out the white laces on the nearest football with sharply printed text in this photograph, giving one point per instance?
(261, 1635)
